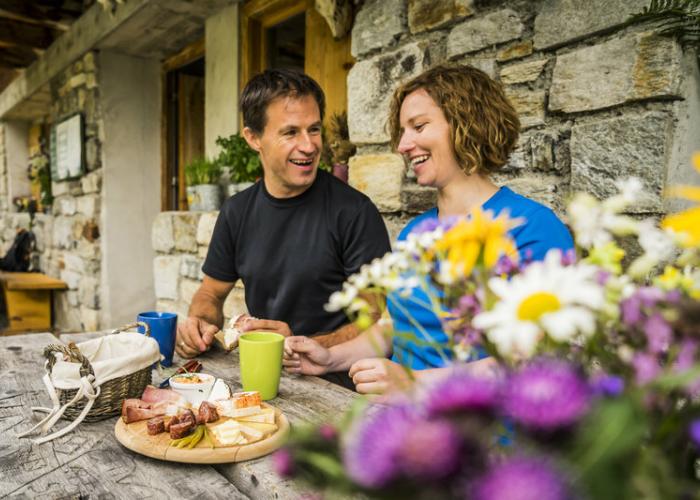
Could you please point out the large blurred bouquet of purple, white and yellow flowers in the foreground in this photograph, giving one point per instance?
(596, 389)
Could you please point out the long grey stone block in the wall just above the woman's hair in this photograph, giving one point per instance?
(492, 29)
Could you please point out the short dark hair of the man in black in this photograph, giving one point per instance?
(267, 86)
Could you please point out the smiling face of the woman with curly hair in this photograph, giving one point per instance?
(426, 141)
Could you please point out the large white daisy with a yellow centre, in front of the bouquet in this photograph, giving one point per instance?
(546, 299)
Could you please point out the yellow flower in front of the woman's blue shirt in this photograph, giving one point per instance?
(481, 238)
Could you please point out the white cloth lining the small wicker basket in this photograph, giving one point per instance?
(111, 356)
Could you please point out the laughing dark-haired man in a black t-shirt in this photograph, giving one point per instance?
(292, 238)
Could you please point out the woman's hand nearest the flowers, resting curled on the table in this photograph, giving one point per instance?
(379, 376)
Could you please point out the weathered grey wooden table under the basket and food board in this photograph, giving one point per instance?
(89, 462)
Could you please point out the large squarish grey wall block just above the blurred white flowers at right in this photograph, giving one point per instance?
(616, 148)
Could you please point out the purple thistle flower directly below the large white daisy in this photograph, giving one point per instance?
(547, 395)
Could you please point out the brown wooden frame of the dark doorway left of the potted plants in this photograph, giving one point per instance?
(187, 55)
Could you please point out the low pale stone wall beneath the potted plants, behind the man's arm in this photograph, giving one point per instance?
(181, 240)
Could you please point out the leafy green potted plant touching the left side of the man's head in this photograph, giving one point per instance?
(242, 161)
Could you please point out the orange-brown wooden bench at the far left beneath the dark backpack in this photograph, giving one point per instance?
(27, 298)
